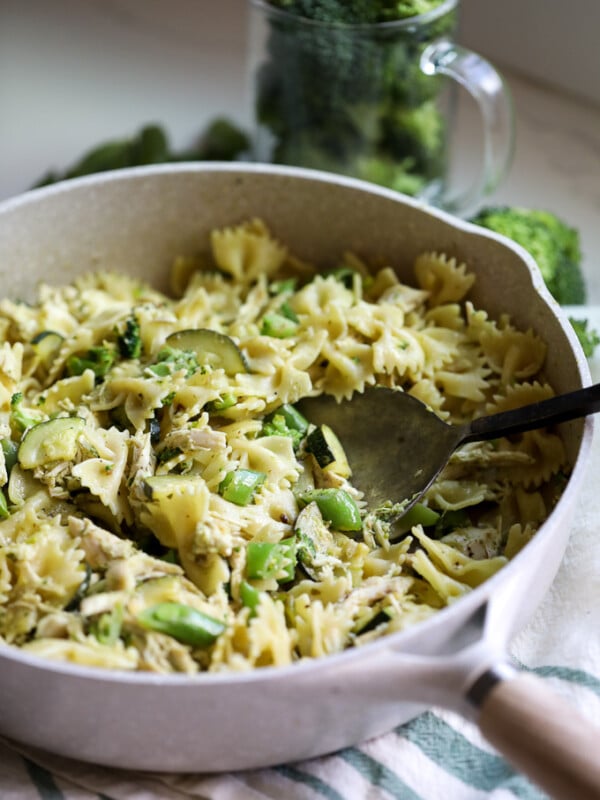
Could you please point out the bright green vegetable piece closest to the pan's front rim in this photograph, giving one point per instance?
(184, 623)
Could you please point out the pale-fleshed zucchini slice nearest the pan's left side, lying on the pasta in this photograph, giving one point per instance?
(53, 440)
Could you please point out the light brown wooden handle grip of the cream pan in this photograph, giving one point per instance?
(543, 737)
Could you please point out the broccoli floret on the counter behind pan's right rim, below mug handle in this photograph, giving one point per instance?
(552, 243)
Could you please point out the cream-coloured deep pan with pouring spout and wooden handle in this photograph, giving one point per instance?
(136, 220)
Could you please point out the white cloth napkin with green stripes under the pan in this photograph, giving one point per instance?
(436, 756)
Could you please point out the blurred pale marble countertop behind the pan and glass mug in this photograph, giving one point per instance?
(74, 73)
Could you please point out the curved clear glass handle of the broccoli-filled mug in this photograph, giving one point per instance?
(488, 89)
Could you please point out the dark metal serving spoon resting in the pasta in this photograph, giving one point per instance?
(397, 447)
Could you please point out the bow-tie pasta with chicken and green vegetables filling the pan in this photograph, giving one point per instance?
(165, 506)
